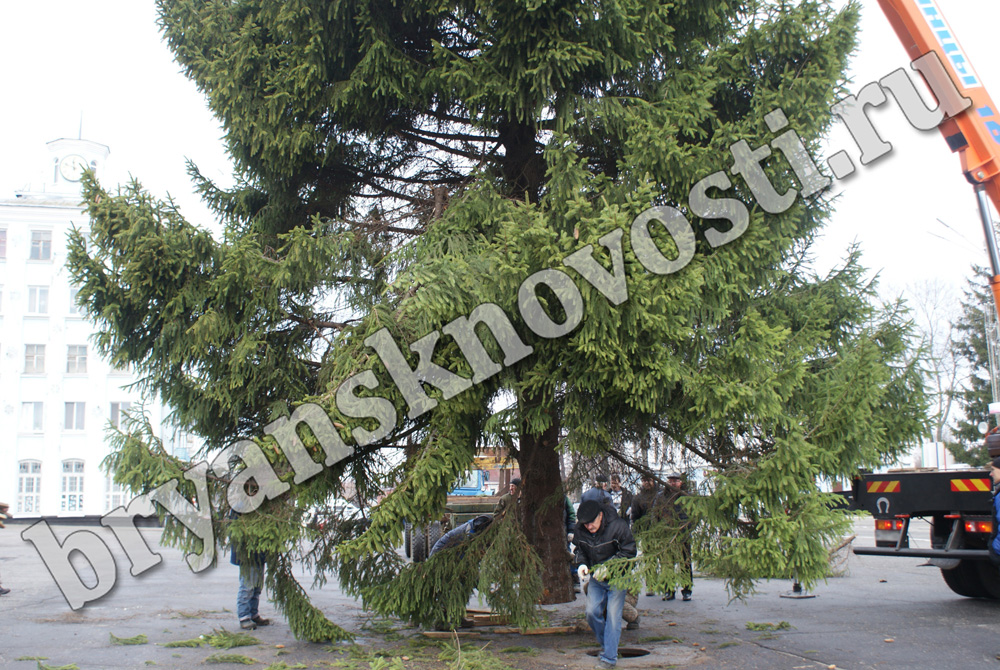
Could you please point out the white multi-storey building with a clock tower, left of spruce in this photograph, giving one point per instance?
(57, 397)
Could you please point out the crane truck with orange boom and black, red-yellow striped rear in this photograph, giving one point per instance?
(958, 504)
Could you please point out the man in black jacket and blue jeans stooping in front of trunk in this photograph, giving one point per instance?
(600, 536)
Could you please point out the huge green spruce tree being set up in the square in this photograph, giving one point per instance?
(401, 164)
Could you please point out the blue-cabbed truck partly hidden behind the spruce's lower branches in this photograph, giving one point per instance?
(470, 498)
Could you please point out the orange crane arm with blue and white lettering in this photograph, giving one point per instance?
(974, 133)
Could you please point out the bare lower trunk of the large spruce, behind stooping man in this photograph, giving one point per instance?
(542, 507)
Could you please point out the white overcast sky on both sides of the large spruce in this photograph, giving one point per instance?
(103, 61)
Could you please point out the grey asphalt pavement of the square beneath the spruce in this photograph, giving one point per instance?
(879, 613)
